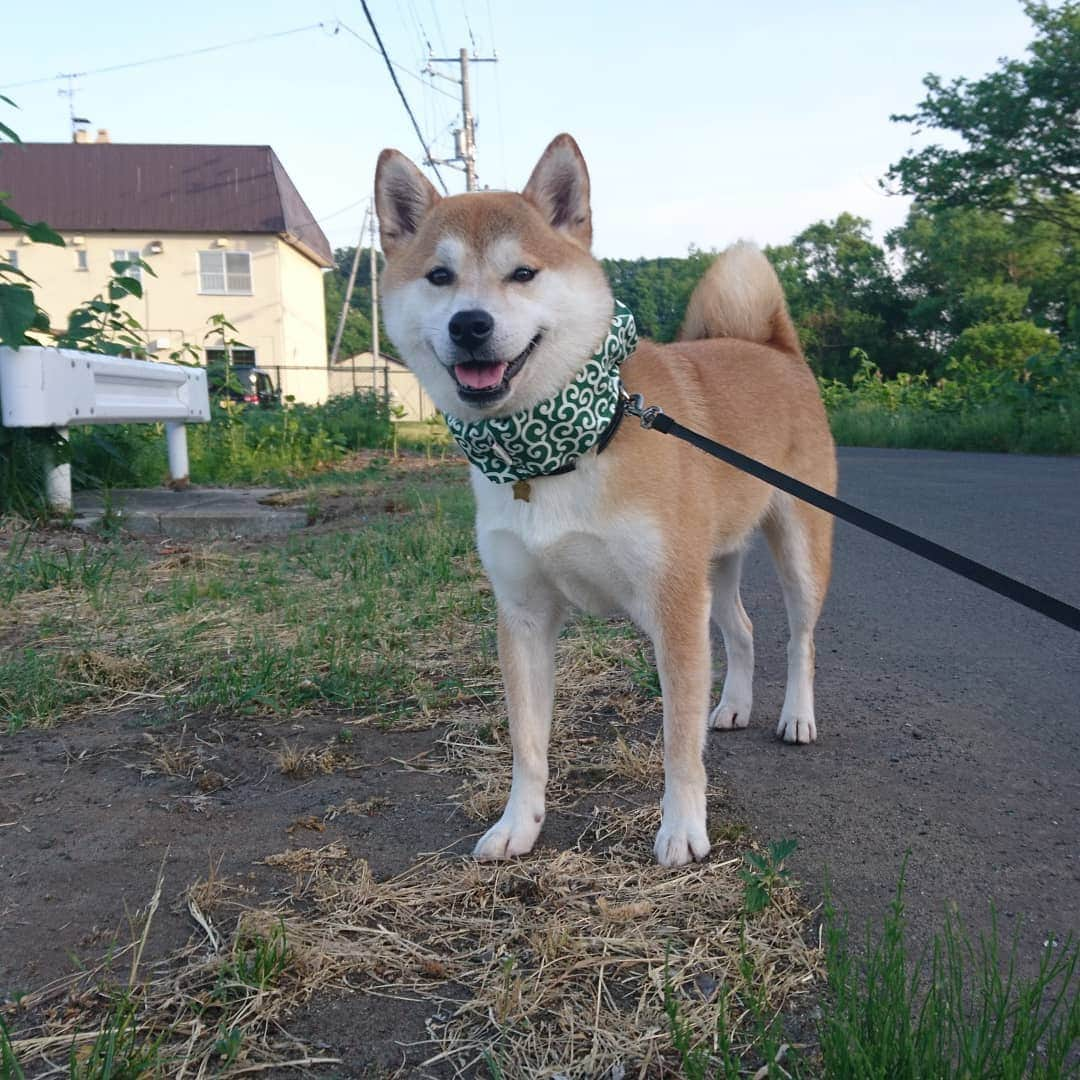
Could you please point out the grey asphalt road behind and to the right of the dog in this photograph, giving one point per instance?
(949, 718)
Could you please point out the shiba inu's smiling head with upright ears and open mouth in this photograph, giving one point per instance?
(493, 298)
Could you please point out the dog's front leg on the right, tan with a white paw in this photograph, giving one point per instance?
(681, 639)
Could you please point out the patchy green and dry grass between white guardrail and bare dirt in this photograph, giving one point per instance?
(363, 619)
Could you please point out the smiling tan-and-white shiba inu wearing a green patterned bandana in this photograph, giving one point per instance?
(495, 302)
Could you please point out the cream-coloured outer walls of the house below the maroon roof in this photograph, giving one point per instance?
(283, 320)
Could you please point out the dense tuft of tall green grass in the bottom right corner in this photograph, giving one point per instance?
(966, 1014)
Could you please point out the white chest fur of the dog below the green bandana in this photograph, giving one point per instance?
(560, 539)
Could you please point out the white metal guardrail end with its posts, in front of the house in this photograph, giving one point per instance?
(57, 388)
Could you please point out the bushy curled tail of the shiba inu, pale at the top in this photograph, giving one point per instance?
(741, 298)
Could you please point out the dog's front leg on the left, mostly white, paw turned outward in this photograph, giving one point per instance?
(528, 658)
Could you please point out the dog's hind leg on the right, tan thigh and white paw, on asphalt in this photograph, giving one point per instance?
(801, 539)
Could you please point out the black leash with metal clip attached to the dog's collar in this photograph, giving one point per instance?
(1044, 603)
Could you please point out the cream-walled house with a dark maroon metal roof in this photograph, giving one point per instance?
(223, 227)
